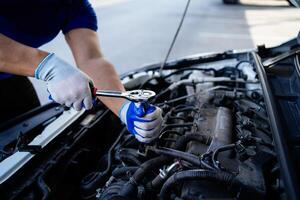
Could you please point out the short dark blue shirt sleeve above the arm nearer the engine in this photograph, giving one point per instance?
(81, 15)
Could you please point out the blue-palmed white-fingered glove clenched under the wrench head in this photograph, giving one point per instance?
(145, 126)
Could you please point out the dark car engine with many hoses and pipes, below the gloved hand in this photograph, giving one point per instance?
(215, 142)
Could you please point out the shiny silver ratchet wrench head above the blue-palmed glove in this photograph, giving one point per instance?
(139, 95)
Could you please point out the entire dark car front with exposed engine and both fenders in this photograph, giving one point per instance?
(230, 131)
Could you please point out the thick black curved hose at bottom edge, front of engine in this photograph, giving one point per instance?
(189, 175)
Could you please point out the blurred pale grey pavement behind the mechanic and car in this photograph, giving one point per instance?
(136, 32)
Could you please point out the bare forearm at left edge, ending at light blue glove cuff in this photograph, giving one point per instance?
(19, 59)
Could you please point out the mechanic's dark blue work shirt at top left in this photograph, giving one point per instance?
(36, 22)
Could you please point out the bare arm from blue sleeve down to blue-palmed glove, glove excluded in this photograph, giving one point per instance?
(86, 50)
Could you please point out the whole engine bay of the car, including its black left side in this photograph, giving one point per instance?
(216, 142)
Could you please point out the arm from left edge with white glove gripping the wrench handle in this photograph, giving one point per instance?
(61, 78)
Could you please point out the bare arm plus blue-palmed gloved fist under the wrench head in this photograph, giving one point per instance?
(86, 50)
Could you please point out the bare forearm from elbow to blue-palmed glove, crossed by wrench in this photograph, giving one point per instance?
(104, 77)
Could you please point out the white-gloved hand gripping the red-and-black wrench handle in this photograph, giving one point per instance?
(66, 84)
